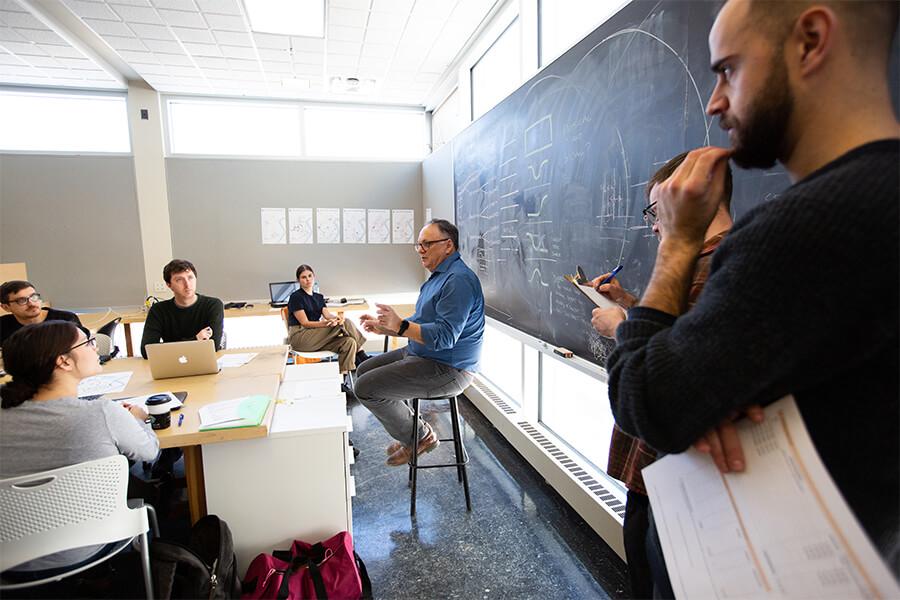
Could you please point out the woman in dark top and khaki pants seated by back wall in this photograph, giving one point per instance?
(312, 327)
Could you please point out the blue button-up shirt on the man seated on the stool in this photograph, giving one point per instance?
(450, 313)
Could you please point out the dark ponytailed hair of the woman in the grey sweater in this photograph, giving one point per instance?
(30, 354)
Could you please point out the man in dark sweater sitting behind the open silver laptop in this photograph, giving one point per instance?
(188, 315)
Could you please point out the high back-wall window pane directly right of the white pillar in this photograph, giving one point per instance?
(234, 128)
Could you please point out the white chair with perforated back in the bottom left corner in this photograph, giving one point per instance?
(67, 508)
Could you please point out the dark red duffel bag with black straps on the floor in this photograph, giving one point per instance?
(329, 569)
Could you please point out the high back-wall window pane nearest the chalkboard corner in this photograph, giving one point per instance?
(360, 133)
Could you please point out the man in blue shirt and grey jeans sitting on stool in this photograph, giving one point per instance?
(445, 336)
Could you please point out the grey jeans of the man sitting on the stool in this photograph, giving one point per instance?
(383, 383)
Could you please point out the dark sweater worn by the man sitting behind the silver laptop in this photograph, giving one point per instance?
(168, 322)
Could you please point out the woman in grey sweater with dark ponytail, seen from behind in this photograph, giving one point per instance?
(45, 426)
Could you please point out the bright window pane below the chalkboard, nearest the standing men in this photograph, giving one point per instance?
(575, 406)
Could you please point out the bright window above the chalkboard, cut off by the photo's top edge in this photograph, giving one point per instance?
(565, 22)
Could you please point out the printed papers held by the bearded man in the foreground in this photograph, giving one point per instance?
(781, 529)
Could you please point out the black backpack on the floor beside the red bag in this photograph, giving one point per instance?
(204, 569)
